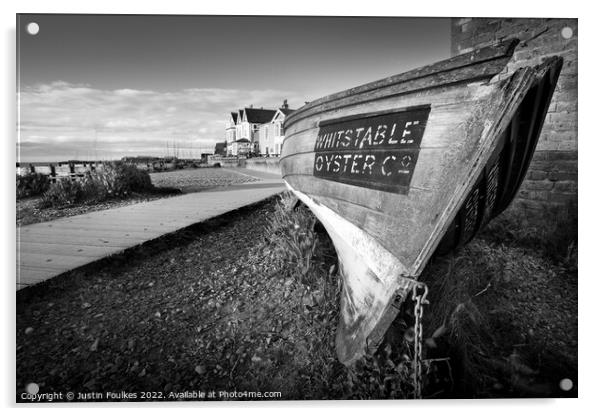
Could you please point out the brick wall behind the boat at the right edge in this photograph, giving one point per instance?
(552, 176)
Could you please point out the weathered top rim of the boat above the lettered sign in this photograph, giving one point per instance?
(502, 49)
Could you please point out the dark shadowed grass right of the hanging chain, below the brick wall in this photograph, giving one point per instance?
(507, 304)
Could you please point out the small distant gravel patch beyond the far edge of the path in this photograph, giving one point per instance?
(194, 180)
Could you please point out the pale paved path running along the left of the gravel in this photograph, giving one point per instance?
(47, 249)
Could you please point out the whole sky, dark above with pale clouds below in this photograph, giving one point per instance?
(109, 86)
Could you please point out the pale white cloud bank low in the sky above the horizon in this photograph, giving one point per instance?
(62, 120)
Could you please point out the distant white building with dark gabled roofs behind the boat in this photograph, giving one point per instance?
(256, 131)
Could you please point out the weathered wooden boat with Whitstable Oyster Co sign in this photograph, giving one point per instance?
(404, 166)
